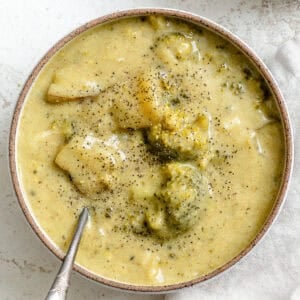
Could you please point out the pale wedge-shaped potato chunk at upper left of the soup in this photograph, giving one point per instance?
(73, 83)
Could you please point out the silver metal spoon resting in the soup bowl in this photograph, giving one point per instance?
(59, 288)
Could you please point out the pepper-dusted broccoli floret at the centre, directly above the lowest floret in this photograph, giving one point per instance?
(177, 137)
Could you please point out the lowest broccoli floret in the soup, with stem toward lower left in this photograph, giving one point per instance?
(175, 206)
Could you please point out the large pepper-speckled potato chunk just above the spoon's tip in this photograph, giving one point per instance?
(90, 162)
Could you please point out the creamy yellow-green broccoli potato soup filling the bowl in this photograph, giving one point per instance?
(167, 133)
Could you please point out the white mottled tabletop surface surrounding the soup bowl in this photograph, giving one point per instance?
(28, 29)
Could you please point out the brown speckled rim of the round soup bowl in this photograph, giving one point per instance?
(200, 22)
